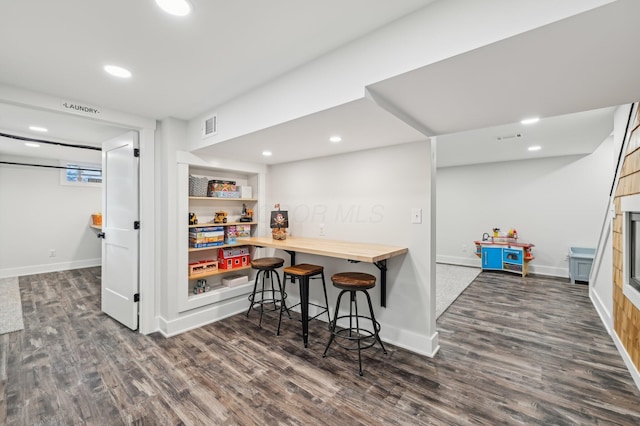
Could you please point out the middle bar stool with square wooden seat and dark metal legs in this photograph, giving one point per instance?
(304, 272)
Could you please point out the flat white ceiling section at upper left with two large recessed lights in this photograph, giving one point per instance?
(181, 66)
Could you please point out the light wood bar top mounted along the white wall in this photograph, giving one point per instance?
(363, 252)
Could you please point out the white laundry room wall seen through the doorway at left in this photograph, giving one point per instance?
(38, 214)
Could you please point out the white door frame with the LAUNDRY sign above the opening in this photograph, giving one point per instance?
(146, 129)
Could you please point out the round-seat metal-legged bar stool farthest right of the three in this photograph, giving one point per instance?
(354, 338)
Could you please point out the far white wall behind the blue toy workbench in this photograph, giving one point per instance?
(554, 203)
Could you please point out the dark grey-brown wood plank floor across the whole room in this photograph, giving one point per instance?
(513, 351)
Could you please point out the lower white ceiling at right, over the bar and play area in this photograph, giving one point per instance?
(571, 73)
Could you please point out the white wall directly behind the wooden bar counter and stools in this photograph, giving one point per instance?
(367, 197)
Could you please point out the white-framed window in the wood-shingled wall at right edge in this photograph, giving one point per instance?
(630, 207)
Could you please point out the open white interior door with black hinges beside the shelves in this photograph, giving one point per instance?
(120, 242)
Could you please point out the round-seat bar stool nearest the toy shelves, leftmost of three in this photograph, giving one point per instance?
(267, 268)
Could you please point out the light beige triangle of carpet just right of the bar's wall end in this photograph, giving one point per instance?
(451, 281)
